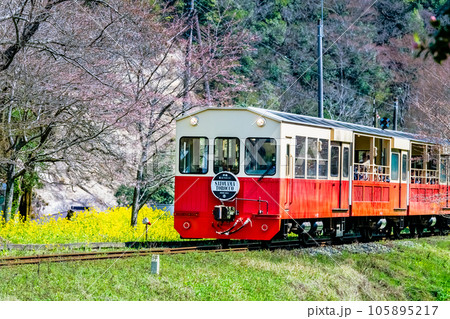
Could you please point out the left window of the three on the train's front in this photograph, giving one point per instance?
(193, 155)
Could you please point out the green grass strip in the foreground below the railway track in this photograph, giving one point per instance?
(421, 272)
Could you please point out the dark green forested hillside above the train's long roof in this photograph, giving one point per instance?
(368, 56)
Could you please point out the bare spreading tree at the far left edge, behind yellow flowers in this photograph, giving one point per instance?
(51, 70)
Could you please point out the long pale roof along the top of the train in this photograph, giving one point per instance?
(284, 117)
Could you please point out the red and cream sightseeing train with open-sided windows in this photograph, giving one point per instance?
(256, 174)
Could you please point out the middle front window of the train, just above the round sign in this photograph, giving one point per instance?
(226, 155)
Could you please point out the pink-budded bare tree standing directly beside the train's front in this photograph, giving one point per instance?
(153, 83)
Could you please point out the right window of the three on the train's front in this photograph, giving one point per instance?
(260, 156)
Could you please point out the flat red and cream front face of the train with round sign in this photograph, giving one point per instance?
(227, 182)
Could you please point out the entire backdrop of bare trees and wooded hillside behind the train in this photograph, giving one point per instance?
(90, 90)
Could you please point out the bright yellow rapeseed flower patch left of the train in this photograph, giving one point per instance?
(112, 225)
